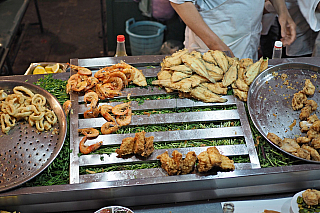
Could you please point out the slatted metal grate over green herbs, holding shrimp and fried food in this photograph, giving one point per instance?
(238, 114)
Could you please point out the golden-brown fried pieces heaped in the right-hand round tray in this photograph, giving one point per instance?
(304, 146)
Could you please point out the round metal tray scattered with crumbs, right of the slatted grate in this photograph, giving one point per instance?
(269, 99)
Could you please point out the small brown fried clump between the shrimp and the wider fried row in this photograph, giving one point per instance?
(139, 145)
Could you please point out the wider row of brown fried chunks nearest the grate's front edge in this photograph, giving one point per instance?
(206, 161)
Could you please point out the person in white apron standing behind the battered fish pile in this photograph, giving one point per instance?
(229, 25)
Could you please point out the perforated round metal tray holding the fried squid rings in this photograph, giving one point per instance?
(25, 152)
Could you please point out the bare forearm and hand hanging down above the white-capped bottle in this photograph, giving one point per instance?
(288, 27)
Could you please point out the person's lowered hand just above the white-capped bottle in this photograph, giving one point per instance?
(288, 29)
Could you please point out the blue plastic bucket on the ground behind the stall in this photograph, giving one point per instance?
(146, 37)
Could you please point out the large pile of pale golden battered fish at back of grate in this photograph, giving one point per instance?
(206, 77)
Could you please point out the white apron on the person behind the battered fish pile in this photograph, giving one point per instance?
(238, 25)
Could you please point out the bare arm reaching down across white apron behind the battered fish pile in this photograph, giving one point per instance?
(191, 17)
